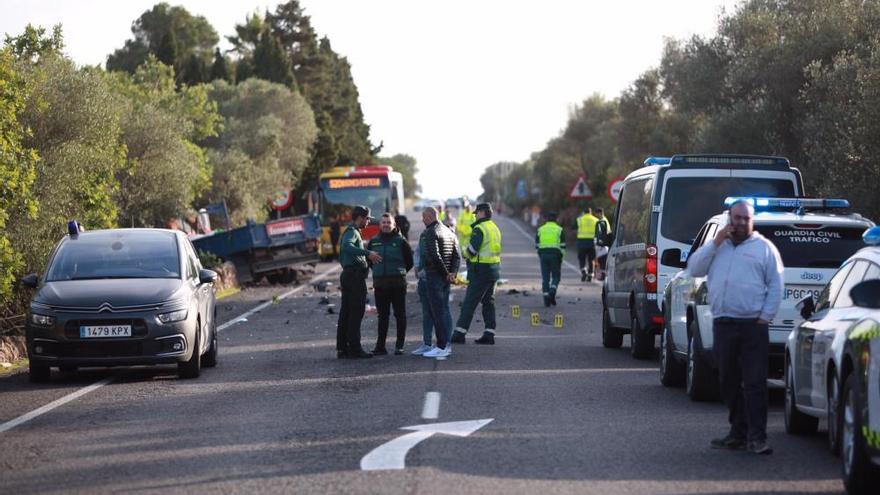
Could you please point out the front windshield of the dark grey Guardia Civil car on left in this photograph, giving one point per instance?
(116, 254)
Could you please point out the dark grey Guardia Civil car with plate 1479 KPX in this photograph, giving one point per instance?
(122, 297)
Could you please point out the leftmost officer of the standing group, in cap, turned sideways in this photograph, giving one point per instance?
(353, 282)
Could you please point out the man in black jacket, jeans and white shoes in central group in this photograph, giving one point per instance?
(439, 252)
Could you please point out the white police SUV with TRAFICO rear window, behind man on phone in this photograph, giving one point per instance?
(812, 241)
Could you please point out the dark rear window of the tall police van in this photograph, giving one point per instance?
(689, 201)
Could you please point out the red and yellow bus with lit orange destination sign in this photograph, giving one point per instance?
(378, 187)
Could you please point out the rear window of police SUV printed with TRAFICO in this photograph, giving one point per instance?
(813, 246)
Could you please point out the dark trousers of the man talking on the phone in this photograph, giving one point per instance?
(742, 353)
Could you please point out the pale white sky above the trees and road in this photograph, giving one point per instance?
(458, 84)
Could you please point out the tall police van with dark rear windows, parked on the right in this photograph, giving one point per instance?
(661, 208)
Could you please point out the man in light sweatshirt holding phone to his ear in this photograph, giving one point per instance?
(744, 276)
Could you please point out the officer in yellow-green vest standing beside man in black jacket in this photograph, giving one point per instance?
(484, 255)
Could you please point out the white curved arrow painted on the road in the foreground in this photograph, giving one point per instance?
(391, 455)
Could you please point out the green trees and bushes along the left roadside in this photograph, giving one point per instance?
(170, 125)
